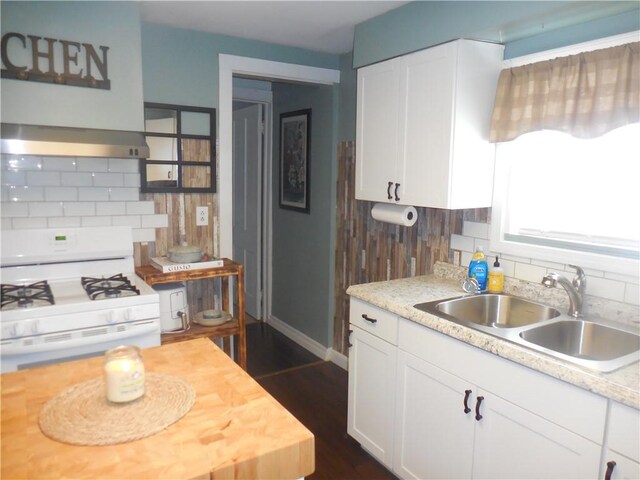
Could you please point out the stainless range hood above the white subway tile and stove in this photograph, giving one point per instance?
(71, 142)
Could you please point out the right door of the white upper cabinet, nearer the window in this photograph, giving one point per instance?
(428, 93)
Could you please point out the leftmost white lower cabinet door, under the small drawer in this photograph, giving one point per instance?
(372, 365)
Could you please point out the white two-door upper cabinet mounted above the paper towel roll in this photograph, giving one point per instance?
(423, 124)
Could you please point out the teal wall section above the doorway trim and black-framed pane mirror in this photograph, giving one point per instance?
(181, 66)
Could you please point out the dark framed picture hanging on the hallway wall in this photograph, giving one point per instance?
(295, 128)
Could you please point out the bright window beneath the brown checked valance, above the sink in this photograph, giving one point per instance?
(569, 200)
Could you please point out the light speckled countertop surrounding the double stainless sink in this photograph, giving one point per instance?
(399, 296)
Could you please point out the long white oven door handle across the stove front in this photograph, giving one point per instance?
(16, 347)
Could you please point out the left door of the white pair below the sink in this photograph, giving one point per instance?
(434, 436)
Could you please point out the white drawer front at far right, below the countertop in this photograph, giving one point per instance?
(624, 430)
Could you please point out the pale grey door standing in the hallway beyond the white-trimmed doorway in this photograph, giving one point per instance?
(247, 205)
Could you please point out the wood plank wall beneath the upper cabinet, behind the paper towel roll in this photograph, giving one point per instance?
(369, 251)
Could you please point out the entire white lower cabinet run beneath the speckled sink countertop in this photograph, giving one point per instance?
(429, 406)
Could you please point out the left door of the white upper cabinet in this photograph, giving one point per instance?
(377, 130)
